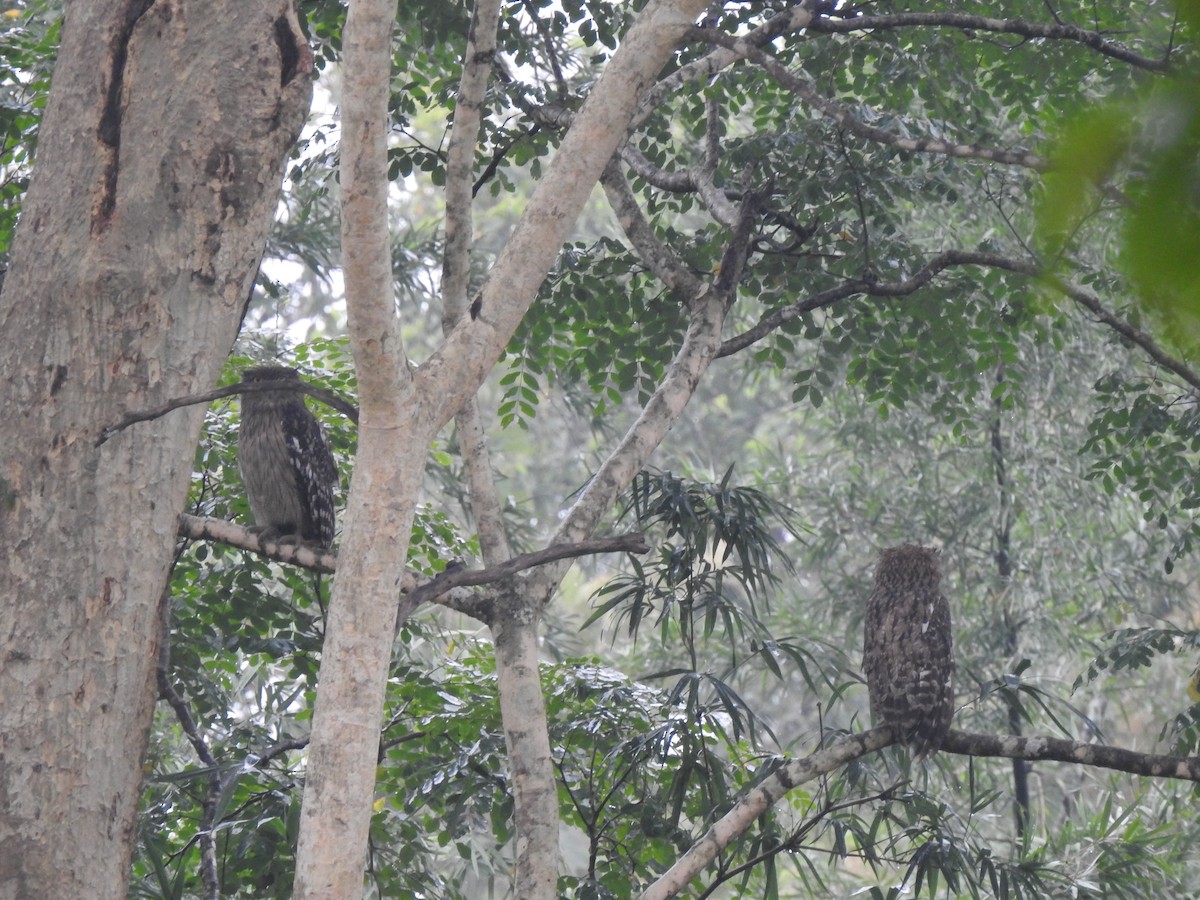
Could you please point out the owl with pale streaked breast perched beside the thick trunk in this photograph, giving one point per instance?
(285, 461)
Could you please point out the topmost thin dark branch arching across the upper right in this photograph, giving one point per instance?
(1021, 28)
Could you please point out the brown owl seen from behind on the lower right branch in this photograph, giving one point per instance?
(909, 649)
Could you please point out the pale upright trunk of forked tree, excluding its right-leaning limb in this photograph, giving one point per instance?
(347, 719)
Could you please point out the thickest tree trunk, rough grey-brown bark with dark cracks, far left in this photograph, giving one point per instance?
(159, 169)
